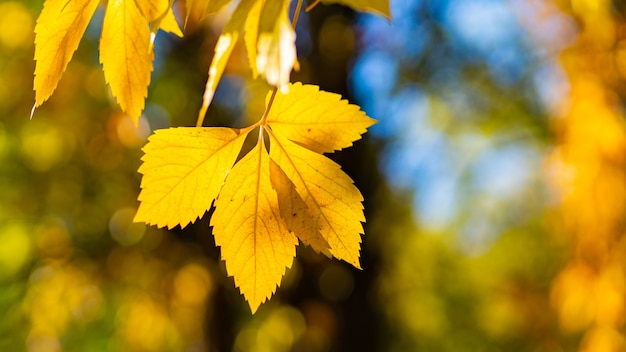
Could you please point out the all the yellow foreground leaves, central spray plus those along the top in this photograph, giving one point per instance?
(281, 191)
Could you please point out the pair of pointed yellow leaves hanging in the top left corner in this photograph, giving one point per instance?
(126, 51)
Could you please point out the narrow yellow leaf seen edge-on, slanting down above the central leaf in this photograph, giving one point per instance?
(224, 47)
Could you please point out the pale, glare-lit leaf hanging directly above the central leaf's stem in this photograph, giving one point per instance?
(276, 45)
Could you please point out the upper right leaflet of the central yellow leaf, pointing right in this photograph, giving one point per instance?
(318, 120)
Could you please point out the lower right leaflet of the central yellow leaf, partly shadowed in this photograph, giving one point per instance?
(333, 202)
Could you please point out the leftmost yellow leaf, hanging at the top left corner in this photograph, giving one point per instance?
(59, 28)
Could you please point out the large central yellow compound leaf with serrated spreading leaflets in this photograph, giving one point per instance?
(267, 200)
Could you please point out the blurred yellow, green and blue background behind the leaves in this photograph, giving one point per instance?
(494, 185)
